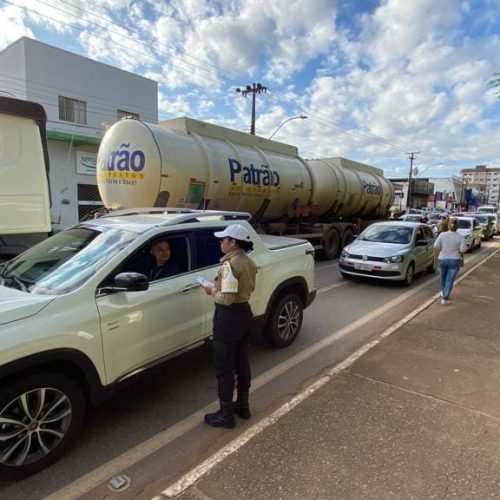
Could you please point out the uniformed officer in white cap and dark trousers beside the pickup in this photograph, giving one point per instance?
(232, 324)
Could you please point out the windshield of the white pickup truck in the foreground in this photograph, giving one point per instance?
(64, 261)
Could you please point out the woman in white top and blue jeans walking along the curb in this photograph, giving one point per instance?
(449, 249)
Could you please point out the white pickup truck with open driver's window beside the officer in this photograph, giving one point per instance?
(76, 319)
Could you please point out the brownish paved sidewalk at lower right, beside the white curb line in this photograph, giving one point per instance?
(416, 417)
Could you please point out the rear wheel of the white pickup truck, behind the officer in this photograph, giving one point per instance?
(285, 320)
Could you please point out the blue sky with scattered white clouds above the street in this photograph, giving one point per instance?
(377, 79)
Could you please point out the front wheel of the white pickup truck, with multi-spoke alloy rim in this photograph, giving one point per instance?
(40, 416)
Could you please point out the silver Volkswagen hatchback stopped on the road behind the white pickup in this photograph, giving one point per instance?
(394, 251)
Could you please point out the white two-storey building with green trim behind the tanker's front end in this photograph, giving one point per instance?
(81, 98)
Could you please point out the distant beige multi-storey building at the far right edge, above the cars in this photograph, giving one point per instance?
(483, 181)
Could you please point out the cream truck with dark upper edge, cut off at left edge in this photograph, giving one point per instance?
(24, 176)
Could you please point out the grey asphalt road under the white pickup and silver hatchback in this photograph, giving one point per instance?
(152, 432)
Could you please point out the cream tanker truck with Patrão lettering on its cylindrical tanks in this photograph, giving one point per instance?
(187, 163)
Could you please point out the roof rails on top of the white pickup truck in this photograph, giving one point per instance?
(183, 214)
